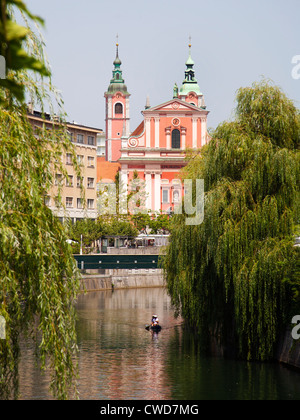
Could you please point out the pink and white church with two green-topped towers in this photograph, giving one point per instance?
(156, 148)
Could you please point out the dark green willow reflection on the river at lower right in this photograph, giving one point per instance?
(208, 377)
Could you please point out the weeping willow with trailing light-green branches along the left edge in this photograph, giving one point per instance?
(38, 276)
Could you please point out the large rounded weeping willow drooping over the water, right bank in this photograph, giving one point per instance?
(237, 273)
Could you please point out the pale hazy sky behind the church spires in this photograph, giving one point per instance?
(234, 43)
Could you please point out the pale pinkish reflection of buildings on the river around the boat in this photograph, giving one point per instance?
(122, 359)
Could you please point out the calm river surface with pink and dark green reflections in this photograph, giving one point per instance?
(120, 360)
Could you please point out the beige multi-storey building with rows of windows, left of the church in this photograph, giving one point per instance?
(78, 203)
